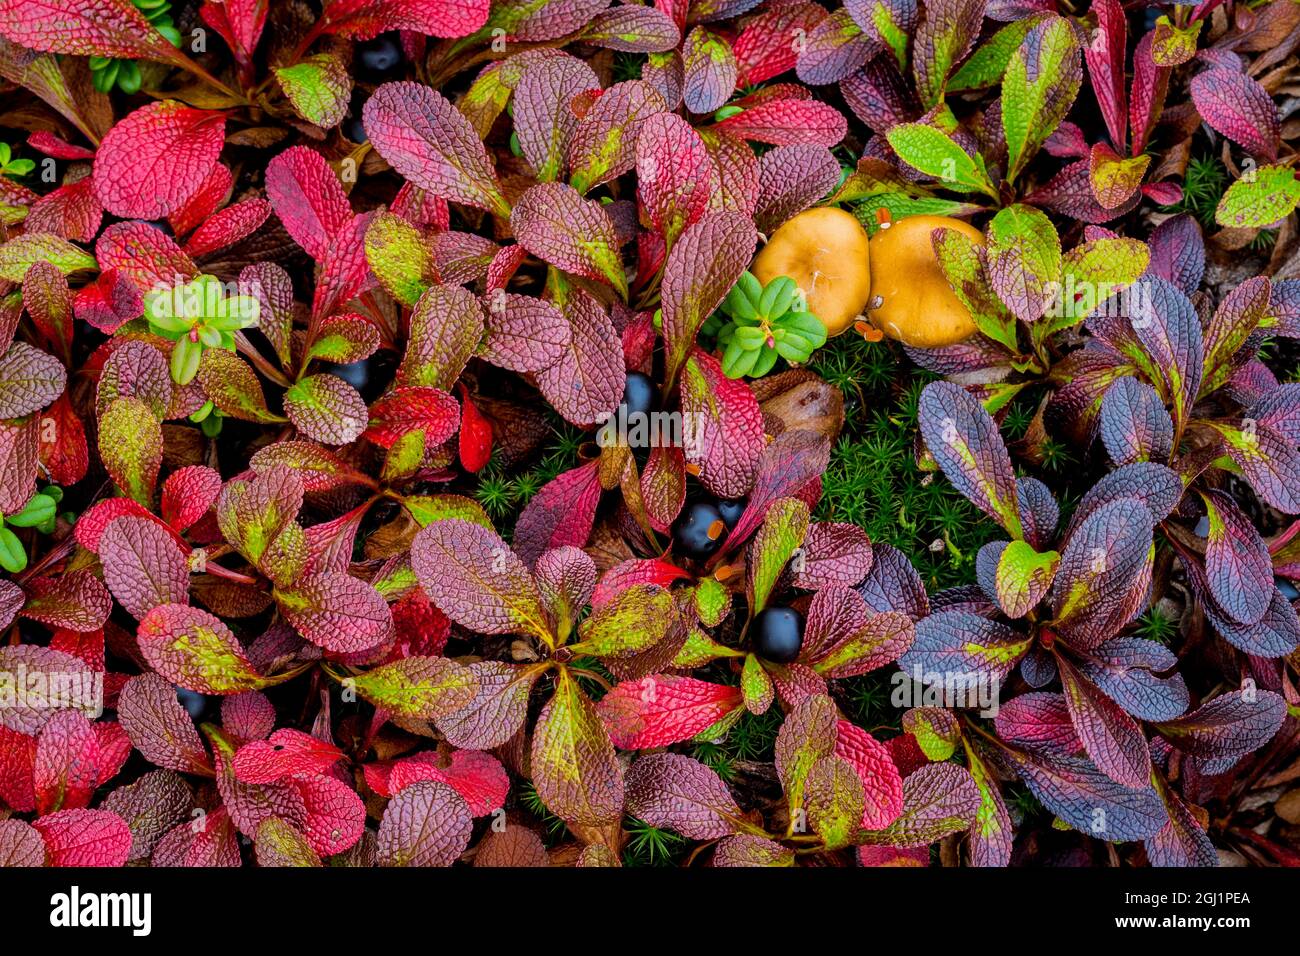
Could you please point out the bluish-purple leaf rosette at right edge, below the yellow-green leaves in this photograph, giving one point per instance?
(1156, 384)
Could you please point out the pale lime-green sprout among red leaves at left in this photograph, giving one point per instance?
(197, 317)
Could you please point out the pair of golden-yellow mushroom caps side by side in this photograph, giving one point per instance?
(891, 280)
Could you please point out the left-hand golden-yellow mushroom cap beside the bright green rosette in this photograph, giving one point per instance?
(825, 252)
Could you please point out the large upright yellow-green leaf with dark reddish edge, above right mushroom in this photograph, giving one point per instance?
(1041, 85)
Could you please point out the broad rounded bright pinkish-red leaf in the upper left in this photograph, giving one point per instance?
(157, 158)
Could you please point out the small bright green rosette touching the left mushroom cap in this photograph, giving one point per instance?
(760, 325)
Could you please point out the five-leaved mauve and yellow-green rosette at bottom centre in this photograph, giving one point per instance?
(483, 586)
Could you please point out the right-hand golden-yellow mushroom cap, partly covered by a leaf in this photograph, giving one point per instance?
(916, 304)
